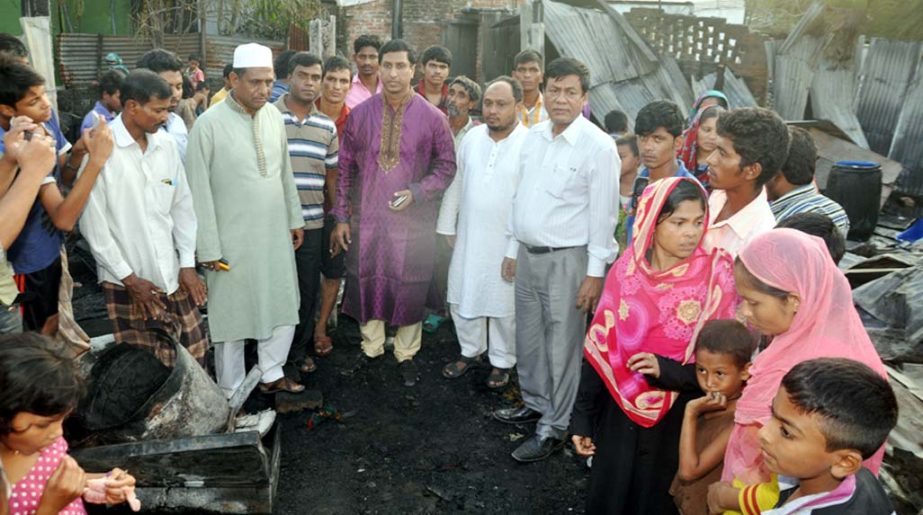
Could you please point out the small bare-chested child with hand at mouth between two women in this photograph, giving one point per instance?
(722, 361)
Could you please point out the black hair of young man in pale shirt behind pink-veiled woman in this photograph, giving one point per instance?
(759, 137)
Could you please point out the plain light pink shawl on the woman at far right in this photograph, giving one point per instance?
(826, 325)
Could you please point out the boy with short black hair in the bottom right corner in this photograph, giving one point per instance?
(829, 415)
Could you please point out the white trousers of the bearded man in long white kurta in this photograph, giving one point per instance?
(475, 333)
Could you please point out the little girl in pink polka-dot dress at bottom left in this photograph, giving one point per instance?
(41, 386)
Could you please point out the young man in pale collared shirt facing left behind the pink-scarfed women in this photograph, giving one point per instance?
(752, 146)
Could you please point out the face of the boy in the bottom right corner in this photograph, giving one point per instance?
(793, 444)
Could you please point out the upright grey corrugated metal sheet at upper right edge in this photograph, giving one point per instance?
(883, 79)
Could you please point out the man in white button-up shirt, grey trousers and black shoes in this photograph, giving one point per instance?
(563, 218)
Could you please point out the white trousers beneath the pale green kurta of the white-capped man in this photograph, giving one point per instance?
(271, 352)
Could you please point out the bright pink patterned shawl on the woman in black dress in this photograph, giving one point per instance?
(644, 310)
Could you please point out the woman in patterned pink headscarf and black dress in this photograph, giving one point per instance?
(633, 386)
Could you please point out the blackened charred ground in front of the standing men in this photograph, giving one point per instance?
(433, 448)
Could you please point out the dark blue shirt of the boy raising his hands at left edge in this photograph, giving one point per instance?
(39, 243)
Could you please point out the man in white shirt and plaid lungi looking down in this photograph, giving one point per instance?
(141, 227)
